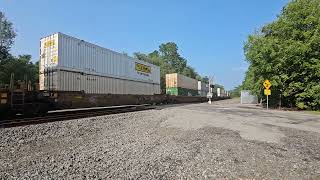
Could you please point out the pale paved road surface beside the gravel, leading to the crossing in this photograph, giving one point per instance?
(251, 121)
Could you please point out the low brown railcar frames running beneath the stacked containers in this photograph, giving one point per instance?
(34, 103)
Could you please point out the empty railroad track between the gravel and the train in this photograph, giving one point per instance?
(72, 114)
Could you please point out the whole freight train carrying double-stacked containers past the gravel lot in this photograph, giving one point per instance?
(77, 74)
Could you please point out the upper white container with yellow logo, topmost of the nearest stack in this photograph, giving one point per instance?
(60, 51)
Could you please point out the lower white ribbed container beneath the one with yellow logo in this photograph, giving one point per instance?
(61, 80)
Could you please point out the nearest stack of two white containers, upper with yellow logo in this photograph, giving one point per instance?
(71, 64)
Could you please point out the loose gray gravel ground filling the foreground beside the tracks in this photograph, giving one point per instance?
(145, 145)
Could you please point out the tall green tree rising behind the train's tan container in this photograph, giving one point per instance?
(170, 61)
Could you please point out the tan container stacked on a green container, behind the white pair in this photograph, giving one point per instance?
(179, 85)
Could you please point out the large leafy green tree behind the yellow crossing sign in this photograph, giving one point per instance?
(287, 52)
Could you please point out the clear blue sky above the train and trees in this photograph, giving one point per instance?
(210, 34)
